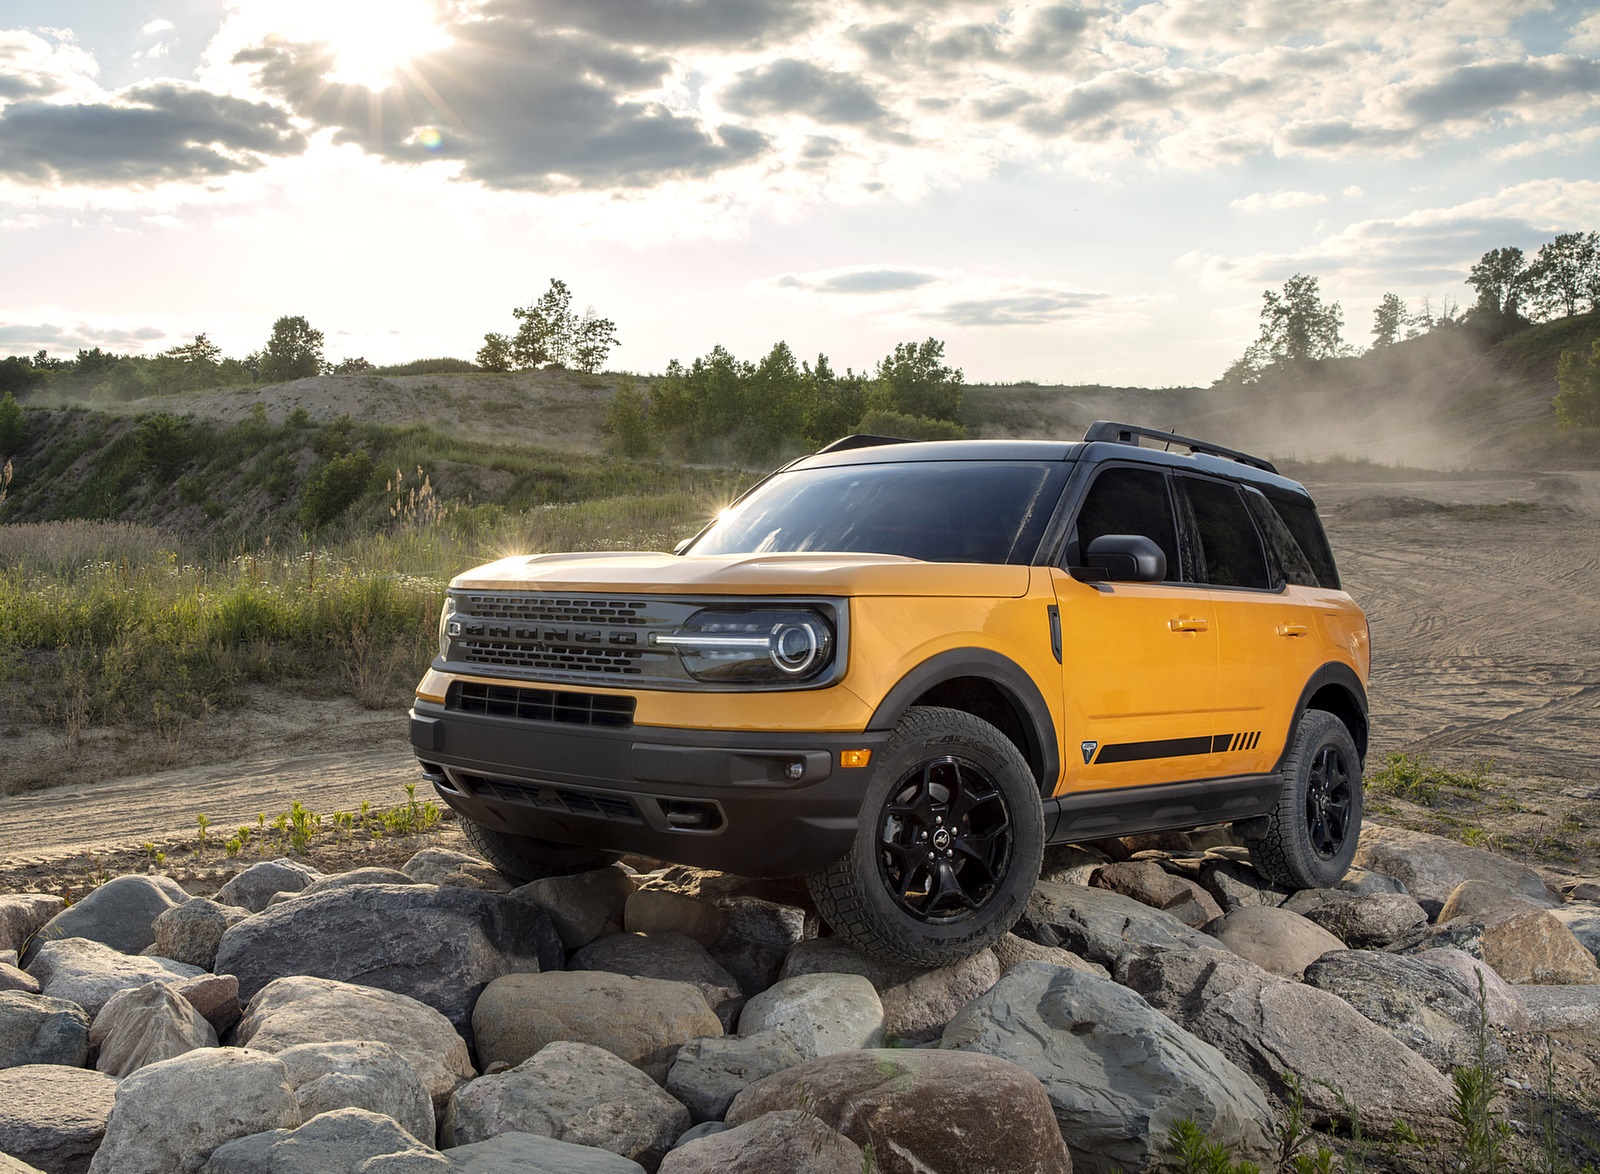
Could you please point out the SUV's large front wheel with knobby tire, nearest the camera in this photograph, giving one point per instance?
(948, 847)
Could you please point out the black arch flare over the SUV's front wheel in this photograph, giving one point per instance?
(977, 681)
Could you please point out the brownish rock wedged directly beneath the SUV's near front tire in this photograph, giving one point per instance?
(918, 1004)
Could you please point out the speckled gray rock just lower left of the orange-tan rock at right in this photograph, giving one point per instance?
(1417, 1004)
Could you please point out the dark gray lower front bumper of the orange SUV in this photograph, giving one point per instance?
(751, 804)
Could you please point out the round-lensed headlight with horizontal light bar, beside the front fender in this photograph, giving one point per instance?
(762, 647)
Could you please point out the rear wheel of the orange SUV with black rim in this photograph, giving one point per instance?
(1310, 841)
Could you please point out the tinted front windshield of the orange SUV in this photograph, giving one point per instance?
(935, 511)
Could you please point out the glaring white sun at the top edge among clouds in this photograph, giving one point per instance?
(372, 41)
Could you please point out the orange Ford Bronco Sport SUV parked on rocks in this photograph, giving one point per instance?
(902, 669)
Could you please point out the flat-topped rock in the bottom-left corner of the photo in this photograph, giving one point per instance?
(54, 1117)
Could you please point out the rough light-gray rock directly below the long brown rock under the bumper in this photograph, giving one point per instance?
(575, 1093)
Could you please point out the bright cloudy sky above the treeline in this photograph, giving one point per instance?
(1062, 193)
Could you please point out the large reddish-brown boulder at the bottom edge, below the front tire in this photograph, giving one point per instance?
(922, 1111)
